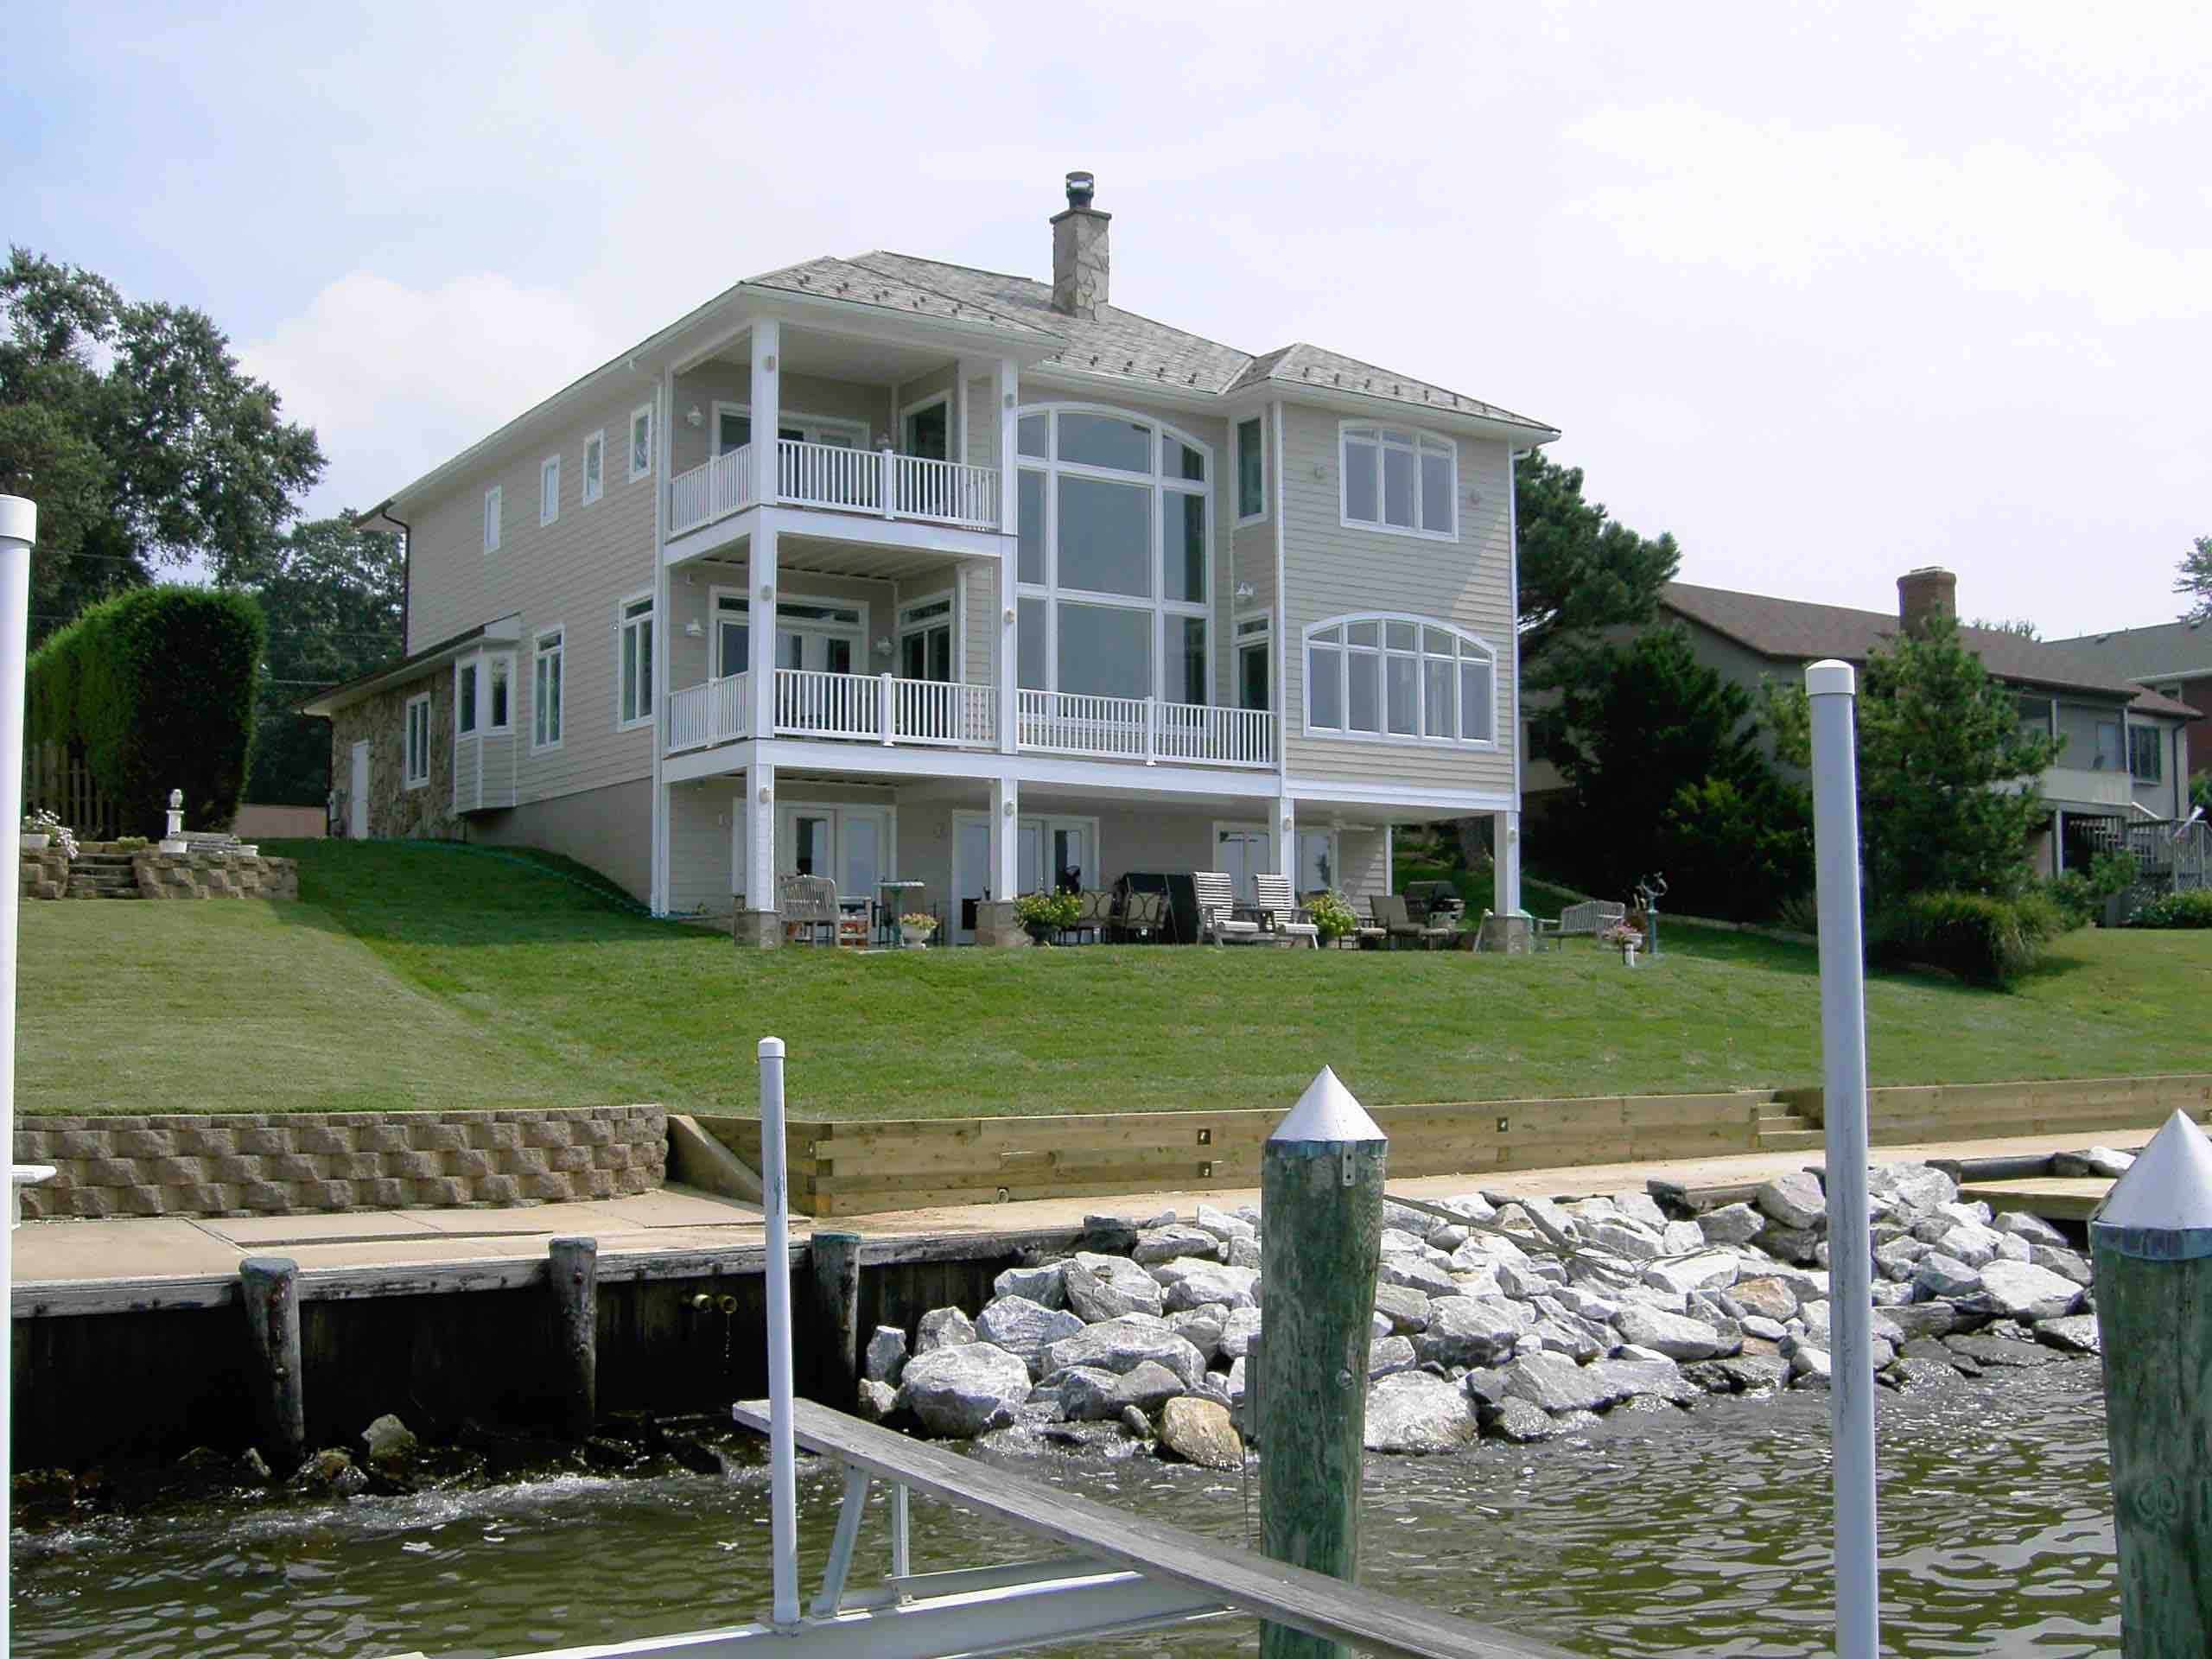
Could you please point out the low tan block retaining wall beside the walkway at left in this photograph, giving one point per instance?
(326, 1162)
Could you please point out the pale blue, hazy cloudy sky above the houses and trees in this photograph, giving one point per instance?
(1826, 291)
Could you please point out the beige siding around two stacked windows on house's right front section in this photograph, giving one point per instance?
(1333, 570)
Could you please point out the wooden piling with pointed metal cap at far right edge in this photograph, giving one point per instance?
(2153, 1262)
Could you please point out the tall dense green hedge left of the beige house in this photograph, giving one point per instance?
(156, 691)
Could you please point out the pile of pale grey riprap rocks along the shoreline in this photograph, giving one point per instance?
(1496, 1317)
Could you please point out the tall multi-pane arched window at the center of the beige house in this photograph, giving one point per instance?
(1116, 556)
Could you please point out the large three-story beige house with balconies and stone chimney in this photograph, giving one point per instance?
(881, 567)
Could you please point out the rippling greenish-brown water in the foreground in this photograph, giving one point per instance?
(1660, 1534)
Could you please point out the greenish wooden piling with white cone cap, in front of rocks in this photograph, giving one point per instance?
(1322, 1235)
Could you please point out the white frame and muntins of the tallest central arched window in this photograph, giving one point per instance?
(1158, 605)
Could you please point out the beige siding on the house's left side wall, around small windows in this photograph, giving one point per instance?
(567, 574)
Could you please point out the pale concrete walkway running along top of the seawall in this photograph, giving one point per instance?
(678, 1220)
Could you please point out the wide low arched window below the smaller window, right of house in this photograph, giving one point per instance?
(1399, 680)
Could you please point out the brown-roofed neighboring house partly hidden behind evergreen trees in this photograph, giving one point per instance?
(2125, 758)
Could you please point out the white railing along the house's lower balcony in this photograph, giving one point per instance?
(935, 713)
